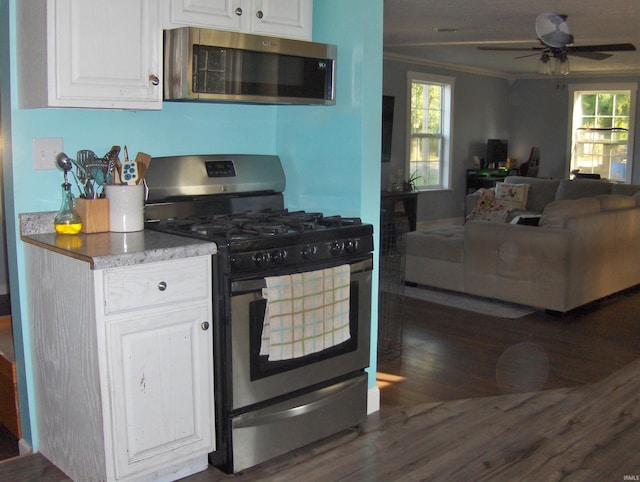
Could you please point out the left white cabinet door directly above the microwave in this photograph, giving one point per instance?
(218, 14)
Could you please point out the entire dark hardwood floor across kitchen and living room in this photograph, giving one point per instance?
(451, 407)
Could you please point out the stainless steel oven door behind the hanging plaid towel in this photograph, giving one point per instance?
(256, 379)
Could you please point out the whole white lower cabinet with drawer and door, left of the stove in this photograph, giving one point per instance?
(126, 393)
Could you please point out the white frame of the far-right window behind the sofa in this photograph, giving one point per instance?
(631, 87)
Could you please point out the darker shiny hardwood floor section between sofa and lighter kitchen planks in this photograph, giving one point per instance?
(450, 354)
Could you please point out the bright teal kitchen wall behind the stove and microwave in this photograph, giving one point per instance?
(330, 154)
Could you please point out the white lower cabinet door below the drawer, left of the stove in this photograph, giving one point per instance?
(160, 387)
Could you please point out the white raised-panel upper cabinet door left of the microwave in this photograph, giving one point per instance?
(104, 53)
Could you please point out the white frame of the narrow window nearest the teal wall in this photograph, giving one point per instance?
(448, 83)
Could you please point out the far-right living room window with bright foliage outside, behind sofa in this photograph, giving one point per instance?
(602, 130)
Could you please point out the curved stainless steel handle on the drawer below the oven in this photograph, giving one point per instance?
(324, 397)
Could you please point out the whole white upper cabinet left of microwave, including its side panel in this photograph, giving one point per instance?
(90, 53)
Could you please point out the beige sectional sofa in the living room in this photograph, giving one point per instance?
(586, 246)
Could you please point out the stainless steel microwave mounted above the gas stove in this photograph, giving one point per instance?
(213, 65)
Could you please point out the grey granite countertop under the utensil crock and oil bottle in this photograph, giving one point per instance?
(110, 250)
